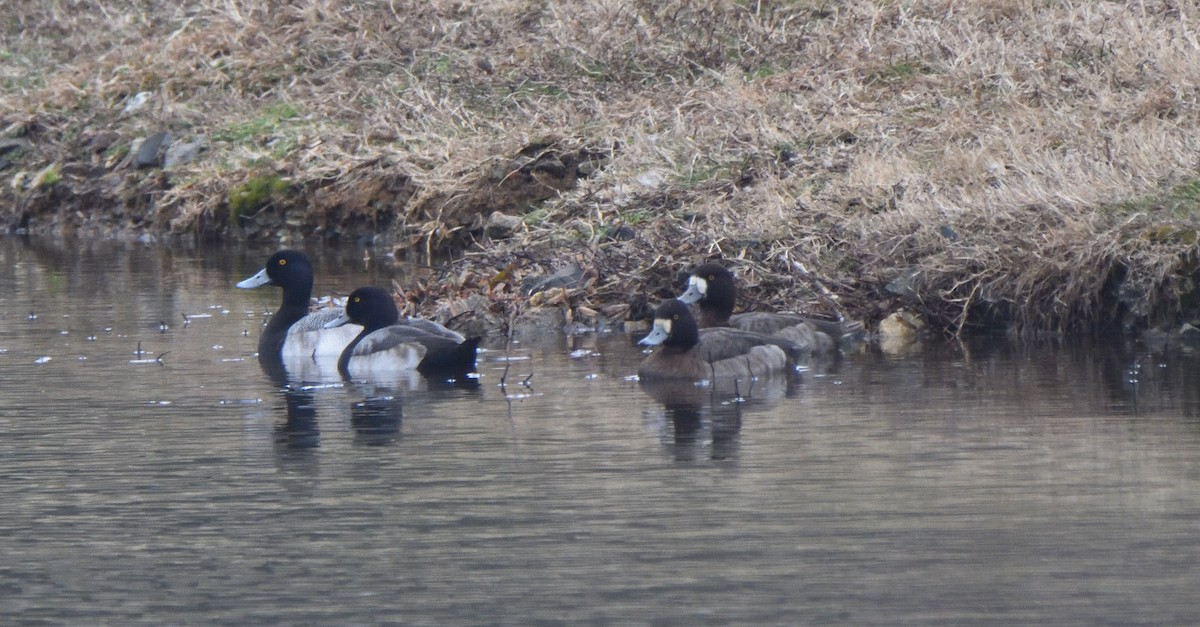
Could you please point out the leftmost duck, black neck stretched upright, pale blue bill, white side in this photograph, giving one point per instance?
(295, 333)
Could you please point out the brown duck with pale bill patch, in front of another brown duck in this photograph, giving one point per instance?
(688, 353)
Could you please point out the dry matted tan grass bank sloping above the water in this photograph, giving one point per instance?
(992, 163)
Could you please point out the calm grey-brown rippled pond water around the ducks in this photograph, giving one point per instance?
(962, 485)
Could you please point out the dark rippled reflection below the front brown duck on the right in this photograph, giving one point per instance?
(707, 422)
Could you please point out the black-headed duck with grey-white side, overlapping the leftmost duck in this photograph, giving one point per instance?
(388, 344)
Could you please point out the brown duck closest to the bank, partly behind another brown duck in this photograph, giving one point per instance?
(711, 285)
